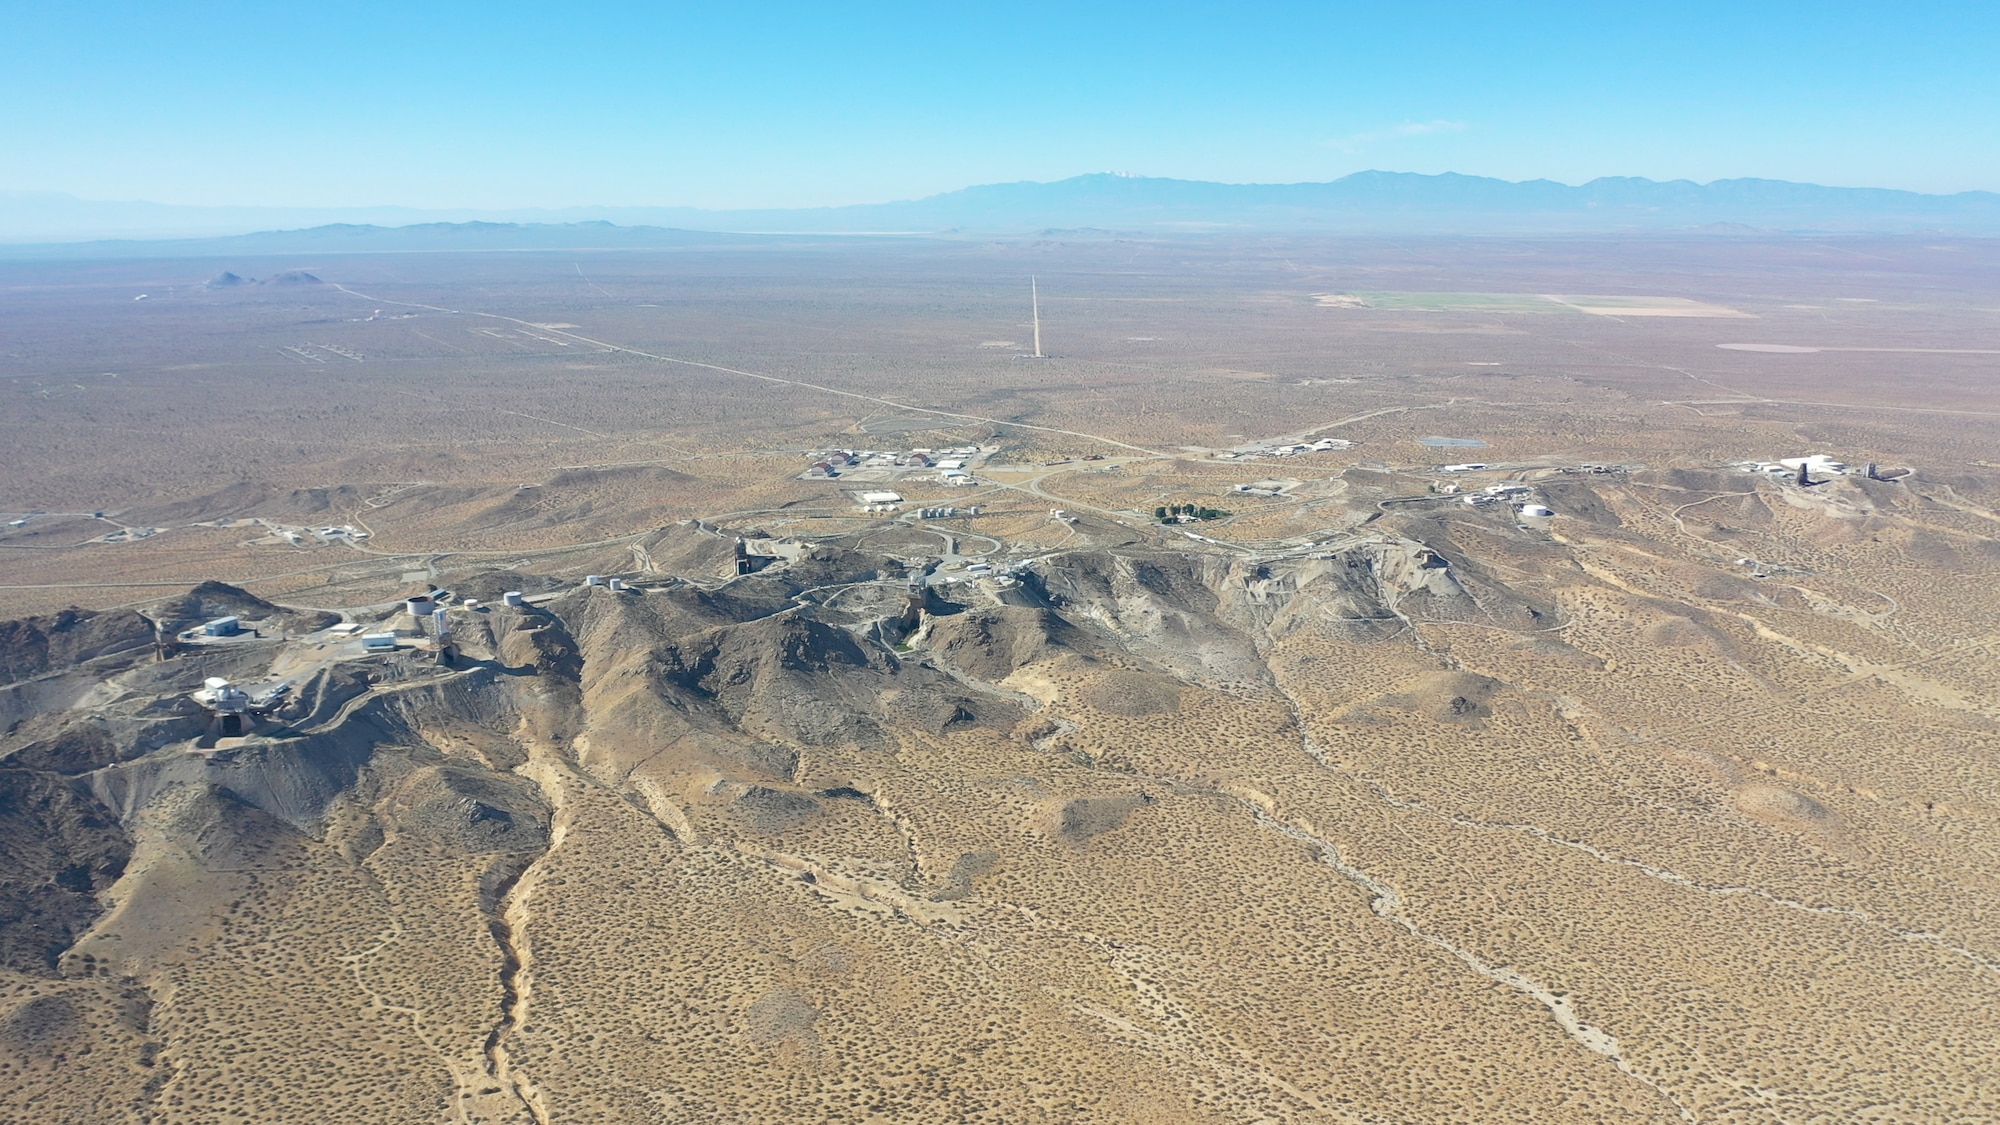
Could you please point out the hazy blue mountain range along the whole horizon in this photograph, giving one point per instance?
(1365, 203)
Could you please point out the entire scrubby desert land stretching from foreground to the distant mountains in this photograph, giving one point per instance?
(1375, 798)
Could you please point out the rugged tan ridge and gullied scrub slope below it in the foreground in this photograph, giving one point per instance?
(1439, 820)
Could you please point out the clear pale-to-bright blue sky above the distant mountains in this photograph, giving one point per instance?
(795, 105)
